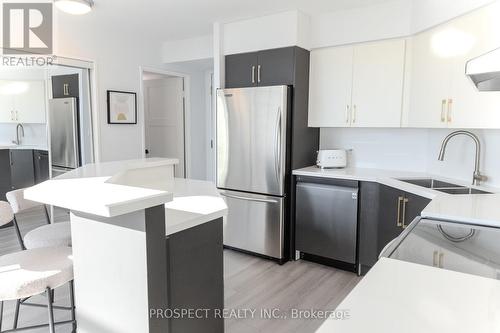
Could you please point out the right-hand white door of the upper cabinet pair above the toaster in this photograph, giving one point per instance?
(378, 75)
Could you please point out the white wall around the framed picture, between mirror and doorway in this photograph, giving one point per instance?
(118, 55)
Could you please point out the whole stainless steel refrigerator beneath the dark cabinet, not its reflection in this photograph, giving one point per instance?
(251, 166)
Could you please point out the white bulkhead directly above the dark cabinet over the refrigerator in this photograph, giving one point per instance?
(266, 32)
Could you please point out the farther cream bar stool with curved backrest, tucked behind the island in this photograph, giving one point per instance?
(52, 234)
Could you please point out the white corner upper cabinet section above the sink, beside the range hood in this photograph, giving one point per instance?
(441, 95)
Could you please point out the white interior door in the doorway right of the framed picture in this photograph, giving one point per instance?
(165, 120)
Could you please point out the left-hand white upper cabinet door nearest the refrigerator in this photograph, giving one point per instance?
(330, 87)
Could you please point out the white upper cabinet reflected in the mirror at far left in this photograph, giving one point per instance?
(30, 105)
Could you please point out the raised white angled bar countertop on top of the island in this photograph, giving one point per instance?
(109, 189)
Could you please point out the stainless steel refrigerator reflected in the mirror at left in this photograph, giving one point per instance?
(64, 135)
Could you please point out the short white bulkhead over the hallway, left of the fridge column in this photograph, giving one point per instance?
(187, 49)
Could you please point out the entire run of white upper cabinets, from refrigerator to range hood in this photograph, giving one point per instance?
(417, 82)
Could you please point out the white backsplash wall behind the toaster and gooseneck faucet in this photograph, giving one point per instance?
(416, 150)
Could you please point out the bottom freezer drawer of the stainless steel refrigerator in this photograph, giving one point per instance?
(254, 223)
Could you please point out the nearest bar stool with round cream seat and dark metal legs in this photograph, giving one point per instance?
(32, 272)
